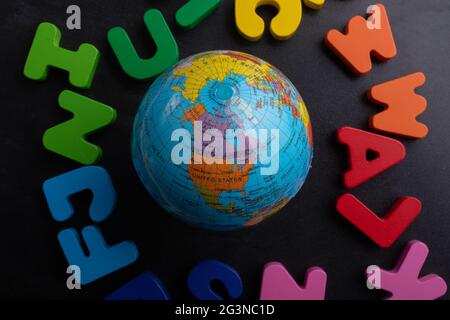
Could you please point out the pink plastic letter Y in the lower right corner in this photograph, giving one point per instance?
(403, 281)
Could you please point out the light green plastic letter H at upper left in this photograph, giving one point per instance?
(45, 52)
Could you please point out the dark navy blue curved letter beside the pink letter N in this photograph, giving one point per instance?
(200, 277)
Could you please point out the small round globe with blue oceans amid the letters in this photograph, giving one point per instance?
(222, 140)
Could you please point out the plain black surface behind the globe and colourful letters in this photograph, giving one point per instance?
(308, 232)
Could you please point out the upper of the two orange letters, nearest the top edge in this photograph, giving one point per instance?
(360, 41)
